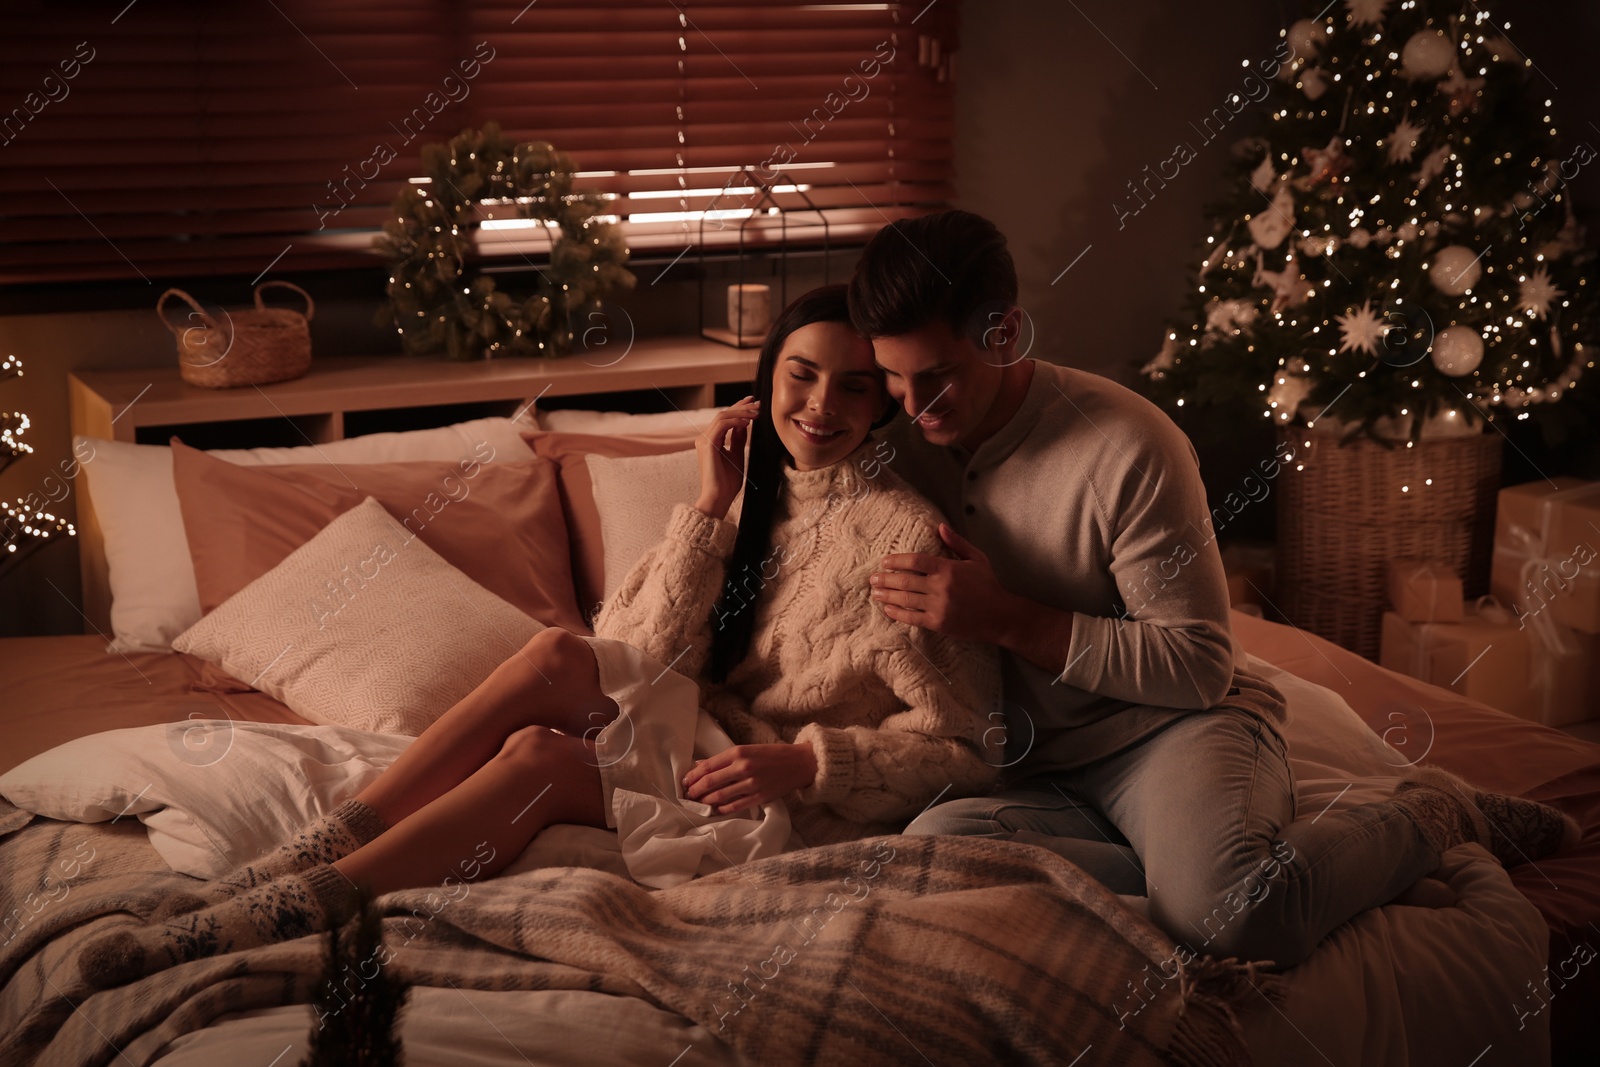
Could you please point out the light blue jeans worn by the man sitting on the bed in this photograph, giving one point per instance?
(1209, 805)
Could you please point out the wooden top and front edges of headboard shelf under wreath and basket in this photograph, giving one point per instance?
(116, 406)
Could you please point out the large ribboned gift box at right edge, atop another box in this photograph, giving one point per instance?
(1548, 551)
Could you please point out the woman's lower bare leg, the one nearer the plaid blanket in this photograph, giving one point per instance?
(468, 834)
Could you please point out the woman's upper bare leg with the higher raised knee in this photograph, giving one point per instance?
(553, 682)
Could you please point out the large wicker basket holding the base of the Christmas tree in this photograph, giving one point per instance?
(1345, 513)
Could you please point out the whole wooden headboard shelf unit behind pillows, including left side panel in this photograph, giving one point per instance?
(364, 394)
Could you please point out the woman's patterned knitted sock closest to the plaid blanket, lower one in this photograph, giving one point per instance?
(290, 906)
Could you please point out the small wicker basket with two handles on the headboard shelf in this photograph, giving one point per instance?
(252, 348)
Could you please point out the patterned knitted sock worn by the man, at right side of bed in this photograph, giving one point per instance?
(1452, 812)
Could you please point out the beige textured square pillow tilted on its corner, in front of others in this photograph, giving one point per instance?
(362, 626)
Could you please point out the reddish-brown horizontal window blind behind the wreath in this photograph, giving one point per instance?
(172, 138)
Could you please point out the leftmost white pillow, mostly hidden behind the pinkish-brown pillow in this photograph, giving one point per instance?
(153, 581)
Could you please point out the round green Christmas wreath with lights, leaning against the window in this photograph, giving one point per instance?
(436, 305)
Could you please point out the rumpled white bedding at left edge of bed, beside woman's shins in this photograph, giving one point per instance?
(212, 794)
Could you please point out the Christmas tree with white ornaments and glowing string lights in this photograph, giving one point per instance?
(1399, 249)
